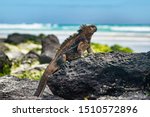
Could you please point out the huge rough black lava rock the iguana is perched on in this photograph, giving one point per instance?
(104, 76)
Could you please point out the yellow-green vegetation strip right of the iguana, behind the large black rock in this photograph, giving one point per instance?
(105, 48)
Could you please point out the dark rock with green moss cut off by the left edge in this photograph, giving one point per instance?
(5, 64)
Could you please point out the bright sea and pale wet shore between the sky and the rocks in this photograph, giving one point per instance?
(136, 37)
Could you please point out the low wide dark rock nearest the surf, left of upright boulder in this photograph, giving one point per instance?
(17, 38)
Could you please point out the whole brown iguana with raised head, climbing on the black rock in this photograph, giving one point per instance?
(71, 49)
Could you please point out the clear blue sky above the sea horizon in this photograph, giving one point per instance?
(75, 11)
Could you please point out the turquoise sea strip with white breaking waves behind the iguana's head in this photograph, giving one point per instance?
(73, 27)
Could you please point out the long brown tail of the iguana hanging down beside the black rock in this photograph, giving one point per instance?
(51, 68)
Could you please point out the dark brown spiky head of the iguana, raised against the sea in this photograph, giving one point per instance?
(87, 29)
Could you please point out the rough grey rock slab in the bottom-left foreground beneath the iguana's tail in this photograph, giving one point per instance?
(12, 88)
